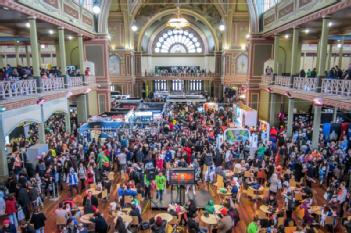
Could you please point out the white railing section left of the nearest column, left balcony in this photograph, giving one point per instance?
(17, 88)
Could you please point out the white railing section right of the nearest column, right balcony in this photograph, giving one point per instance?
(336, 87)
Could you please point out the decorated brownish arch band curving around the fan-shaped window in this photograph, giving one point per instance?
(183, 12)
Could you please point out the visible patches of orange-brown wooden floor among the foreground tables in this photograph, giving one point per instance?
(247, 209)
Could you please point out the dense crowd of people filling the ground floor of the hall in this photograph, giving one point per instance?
(288, 170)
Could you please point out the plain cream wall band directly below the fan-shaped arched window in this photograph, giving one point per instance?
(148, 63)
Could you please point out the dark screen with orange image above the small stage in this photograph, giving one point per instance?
(181, 176)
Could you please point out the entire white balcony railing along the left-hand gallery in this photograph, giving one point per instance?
(32, 86)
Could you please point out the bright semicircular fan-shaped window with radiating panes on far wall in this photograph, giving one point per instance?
(178, 41)
